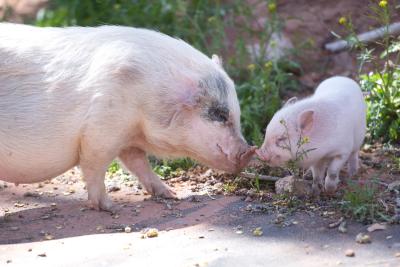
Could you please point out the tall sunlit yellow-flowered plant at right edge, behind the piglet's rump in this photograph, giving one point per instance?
(382, 84)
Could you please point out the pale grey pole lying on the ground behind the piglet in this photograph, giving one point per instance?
(365, 37)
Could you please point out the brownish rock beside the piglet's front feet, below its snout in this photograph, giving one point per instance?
(293, 185)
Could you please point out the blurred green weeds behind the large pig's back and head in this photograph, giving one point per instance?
(214, 27)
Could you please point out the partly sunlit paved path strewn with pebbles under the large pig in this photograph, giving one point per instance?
(50, 225)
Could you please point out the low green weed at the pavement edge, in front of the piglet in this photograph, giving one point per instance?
(360, 201)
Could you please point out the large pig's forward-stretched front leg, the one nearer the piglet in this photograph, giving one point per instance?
(135, 160)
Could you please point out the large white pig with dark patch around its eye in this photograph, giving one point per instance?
(84, 96)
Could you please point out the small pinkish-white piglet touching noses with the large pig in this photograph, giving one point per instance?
(334, 121)
